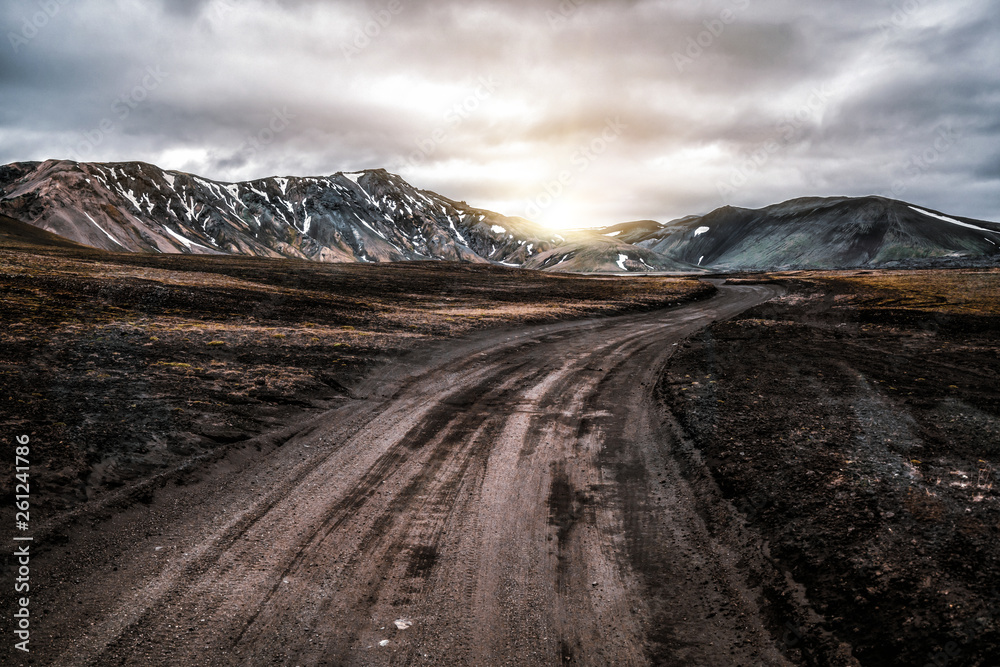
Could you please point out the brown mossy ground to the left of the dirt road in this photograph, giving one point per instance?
(118, 365)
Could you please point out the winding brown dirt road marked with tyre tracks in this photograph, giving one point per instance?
(508, 500)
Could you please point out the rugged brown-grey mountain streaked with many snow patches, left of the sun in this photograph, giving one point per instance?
(367, 216)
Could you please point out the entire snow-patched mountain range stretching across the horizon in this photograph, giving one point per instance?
(375, 216)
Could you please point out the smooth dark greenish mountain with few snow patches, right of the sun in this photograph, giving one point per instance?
(818, 233)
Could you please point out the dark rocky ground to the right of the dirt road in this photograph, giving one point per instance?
(853, 427)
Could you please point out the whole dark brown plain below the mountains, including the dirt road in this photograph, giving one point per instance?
(520, 468)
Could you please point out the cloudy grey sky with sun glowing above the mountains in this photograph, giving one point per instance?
(570, 113)
